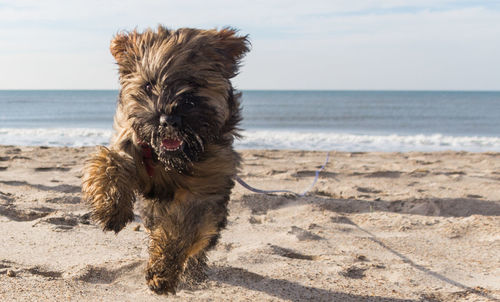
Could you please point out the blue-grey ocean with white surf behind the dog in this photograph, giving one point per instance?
(306, 120)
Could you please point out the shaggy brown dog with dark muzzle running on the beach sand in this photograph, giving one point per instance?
(175, 123)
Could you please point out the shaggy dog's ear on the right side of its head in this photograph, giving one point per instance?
(232, 48)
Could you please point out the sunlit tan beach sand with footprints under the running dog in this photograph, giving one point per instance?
(376, 227)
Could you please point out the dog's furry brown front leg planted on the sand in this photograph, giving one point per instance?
(178, 238)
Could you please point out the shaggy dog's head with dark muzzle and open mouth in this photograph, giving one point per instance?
(175, 89)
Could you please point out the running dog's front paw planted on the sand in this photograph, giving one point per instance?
(162, 277)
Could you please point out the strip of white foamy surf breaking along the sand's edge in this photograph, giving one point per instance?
(270, 139)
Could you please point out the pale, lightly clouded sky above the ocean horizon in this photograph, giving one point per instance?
(314, 45)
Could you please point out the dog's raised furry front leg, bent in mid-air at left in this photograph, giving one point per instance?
(108, 184)
